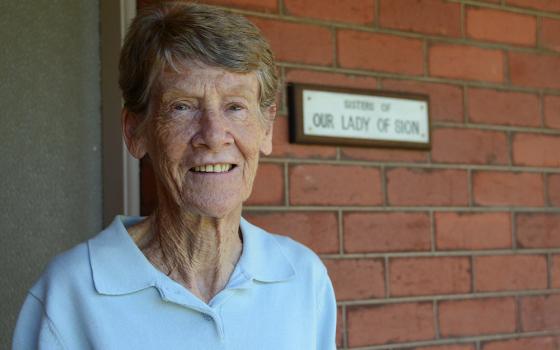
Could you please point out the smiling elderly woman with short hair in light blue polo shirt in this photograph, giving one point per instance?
(199, 87)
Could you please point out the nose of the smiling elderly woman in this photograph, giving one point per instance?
(214, 131)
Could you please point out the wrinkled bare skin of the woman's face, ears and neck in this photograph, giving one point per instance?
(200, 116)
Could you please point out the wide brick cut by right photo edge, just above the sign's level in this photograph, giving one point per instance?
(540, 71)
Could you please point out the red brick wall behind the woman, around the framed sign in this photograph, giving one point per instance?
(457, 248)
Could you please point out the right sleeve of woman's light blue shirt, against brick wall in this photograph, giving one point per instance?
(326, 314)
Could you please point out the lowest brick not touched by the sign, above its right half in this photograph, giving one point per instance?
(361, 50)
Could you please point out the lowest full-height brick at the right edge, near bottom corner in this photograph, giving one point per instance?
(539, 313)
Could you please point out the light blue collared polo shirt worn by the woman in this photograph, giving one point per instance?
(104, 294)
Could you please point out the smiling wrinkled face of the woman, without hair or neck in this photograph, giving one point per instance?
(204, 137)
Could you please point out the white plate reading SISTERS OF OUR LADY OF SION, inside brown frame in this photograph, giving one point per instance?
(334, 114)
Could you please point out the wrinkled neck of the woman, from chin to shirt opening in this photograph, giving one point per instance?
(198, 252)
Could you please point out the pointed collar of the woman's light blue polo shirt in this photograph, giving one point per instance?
(119, 267)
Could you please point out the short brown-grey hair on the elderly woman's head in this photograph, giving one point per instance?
(164, 35)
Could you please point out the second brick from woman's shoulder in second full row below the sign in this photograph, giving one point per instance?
(385, 232)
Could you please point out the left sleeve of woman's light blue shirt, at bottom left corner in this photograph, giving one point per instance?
(34, 329)
